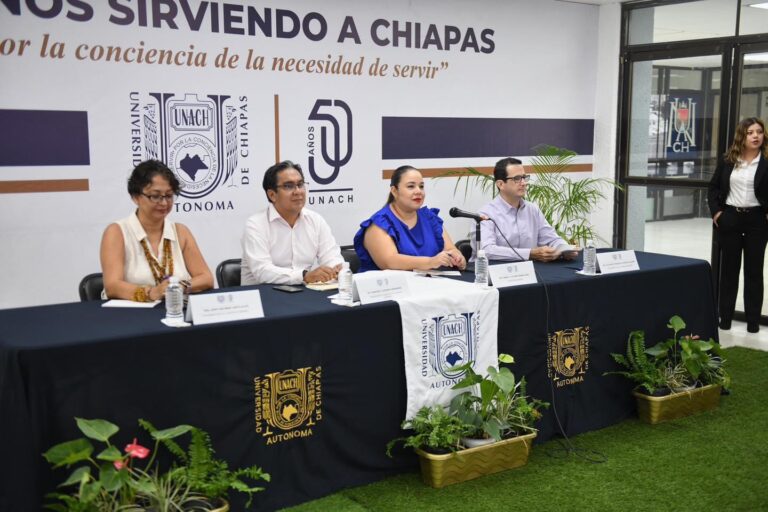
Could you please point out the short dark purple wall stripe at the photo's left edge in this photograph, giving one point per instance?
(43, 137)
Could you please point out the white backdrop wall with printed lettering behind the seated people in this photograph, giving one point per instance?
(536, 59)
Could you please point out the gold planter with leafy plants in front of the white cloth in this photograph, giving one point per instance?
(495, 408)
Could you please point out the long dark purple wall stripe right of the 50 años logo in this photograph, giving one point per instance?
(449, 137)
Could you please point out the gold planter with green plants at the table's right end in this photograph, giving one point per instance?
(676, 377)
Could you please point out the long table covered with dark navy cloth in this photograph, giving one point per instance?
(62, 361)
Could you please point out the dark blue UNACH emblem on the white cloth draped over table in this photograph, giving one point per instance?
(453, 343)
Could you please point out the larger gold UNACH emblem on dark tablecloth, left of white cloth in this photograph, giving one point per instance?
(287, 403)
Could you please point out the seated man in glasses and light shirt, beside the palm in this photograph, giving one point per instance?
(519, 221)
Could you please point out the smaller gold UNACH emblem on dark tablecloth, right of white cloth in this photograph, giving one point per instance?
(568, 355)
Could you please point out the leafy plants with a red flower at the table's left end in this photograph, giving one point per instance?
(112, 480)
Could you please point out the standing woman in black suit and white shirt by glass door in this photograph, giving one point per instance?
(738, 200)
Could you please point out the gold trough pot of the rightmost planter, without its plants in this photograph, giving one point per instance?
(655, 409)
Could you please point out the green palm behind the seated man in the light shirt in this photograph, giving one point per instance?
(566, 203)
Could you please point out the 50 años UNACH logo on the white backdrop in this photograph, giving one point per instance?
(329, 149)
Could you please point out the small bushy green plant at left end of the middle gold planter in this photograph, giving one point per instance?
(434, 430)
